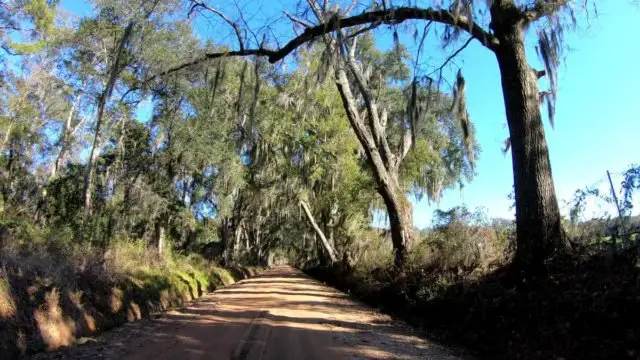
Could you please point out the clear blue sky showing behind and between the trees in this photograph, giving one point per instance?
(596, 123)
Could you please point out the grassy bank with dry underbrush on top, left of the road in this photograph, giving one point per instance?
(52, 294)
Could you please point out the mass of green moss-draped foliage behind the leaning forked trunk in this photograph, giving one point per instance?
(228, 150)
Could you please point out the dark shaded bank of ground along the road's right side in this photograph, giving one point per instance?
(584, 309)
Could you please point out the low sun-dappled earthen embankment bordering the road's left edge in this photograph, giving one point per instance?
(40, 313)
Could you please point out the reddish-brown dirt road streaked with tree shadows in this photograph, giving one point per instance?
(281, 314)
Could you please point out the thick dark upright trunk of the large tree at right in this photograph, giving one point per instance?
(539, 231)
